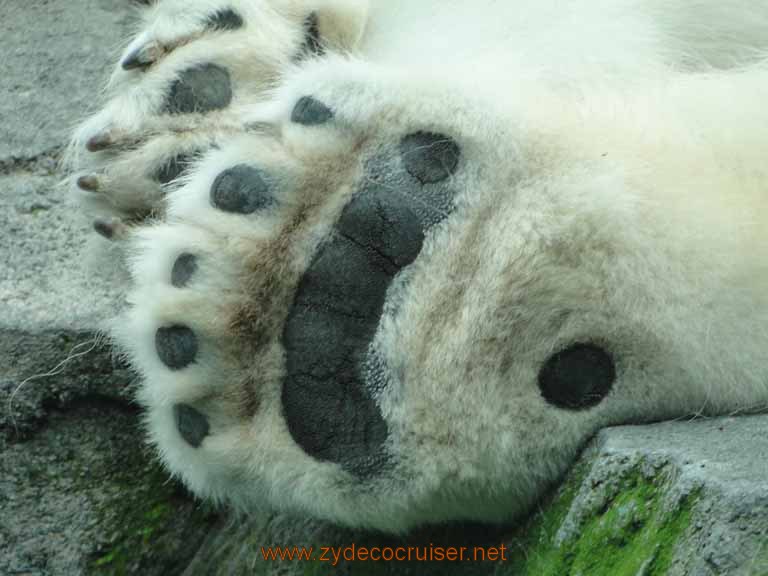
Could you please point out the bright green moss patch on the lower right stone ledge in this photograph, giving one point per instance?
(634, 533)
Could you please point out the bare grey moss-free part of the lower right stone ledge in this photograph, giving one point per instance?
(721, 463)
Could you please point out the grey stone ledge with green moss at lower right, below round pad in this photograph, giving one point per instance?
(670, 498)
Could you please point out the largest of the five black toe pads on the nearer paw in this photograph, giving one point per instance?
(241, 189)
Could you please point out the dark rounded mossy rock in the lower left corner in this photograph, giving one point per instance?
(81, 495)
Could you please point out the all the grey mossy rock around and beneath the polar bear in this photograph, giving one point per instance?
(79, 494)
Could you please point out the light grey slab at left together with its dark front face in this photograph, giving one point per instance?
(59, 282)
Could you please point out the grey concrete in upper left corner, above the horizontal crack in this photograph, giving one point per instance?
(55, 56)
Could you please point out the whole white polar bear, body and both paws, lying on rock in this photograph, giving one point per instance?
(385, 279)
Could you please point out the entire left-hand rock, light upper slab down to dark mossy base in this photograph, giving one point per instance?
(76, 484)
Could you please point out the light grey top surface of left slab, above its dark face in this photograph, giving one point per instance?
(56, 55)
